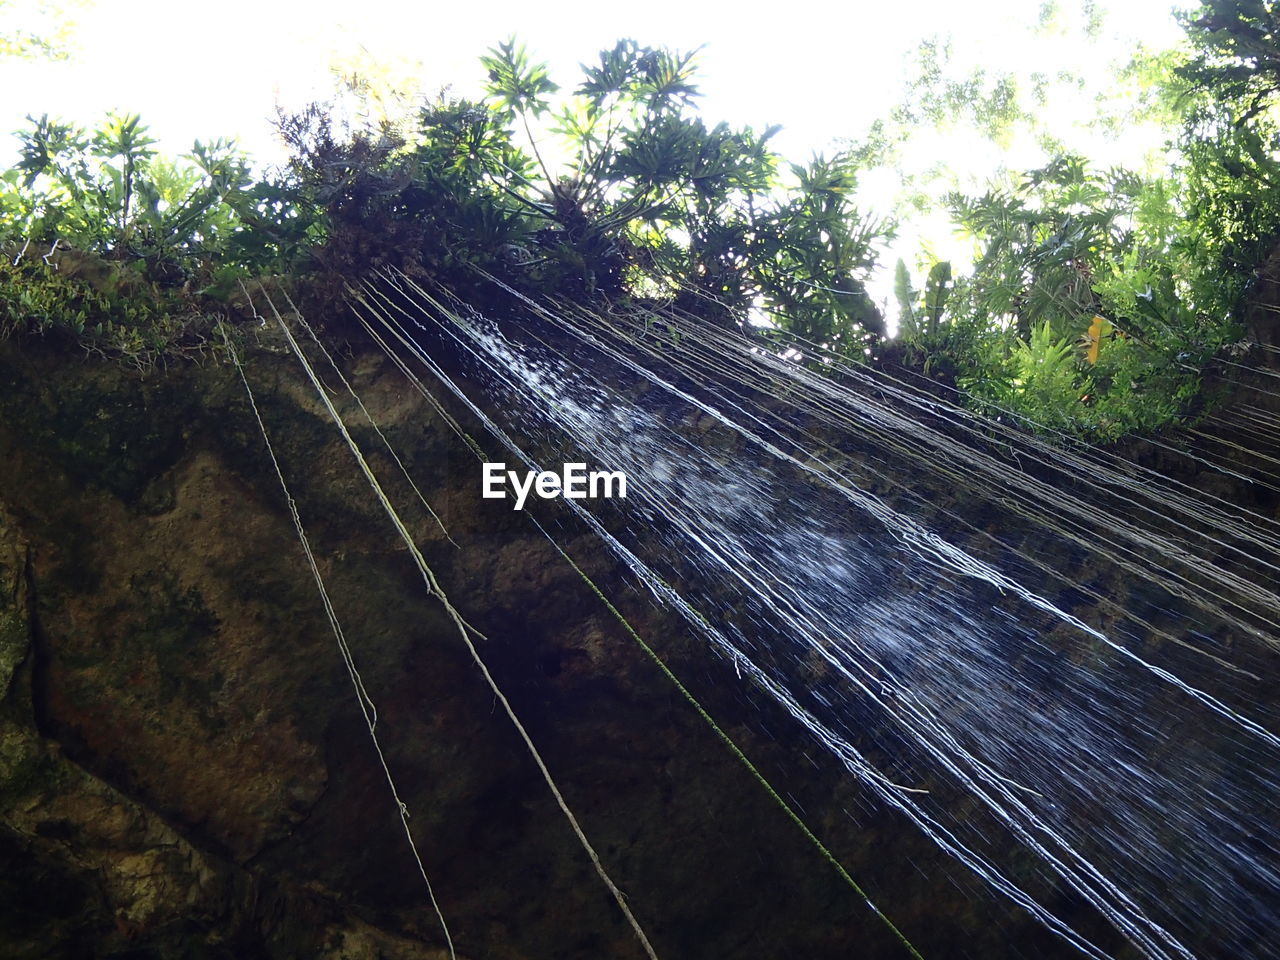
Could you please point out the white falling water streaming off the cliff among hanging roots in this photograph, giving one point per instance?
(1141, 775)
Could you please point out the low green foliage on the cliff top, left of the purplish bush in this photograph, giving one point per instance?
(126, 252)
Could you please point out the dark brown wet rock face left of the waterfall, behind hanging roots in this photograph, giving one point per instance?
(186, 771)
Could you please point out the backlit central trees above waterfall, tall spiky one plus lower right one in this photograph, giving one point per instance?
(644, 171)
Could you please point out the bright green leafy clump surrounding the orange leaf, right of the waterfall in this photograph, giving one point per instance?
(1066, 245)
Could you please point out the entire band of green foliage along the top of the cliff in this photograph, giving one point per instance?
(616, 189)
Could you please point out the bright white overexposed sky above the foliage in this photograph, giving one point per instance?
(824, 71)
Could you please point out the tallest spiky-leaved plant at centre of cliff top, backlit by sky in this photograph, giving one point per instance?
(641, 168)
